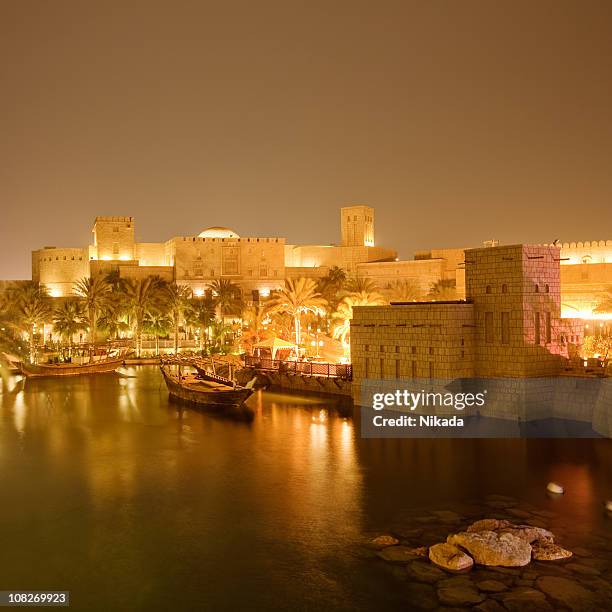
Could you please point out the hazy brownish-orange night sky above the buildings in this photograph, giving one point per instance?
(458, 121)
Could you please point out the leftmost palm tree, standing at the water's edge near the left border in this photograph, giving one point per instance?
(29, 309)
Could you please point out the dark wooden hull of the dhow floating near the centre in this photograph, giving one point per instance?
(227, 401)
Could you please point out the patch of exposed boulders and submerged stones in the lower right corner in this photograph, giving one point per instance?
(508, 561)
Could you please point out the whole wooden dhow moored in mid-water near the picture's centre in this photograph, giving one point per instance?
(223, 396)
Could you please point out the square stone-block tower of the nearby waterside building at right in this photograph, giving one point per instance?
(516, 295)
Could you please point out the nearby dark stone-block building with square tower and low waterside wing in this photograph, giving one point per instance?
(510, 324)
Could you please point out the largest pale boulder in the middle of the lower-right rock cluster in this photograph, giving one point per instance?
(490, 548)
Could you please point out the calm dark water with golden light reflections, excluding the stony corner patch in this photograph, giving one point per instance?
(114, 494)
